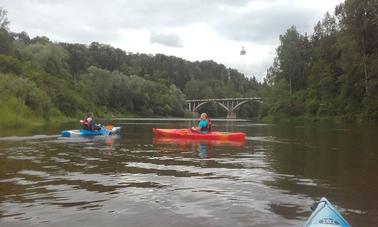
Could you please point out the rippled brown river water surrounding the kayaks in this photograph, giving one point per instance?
(135, 180)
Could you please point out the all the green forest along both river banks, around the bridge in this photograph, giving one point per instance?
(330, 74)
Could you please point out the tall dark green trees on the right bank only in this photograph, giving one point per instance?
(332, 73)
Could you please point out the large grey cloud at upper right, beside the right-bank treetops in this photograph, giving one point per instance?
(263, 22)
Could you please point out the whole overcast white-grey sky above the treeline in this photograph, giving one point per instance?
(192, 29)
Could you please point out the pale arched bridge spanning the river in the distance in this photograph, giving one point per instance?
(229, 104)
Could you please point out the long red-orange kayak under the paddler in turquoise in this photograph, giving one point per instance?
(189, 134)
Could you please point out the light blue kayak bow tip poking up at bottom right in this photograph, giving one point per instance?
(326, 215)
